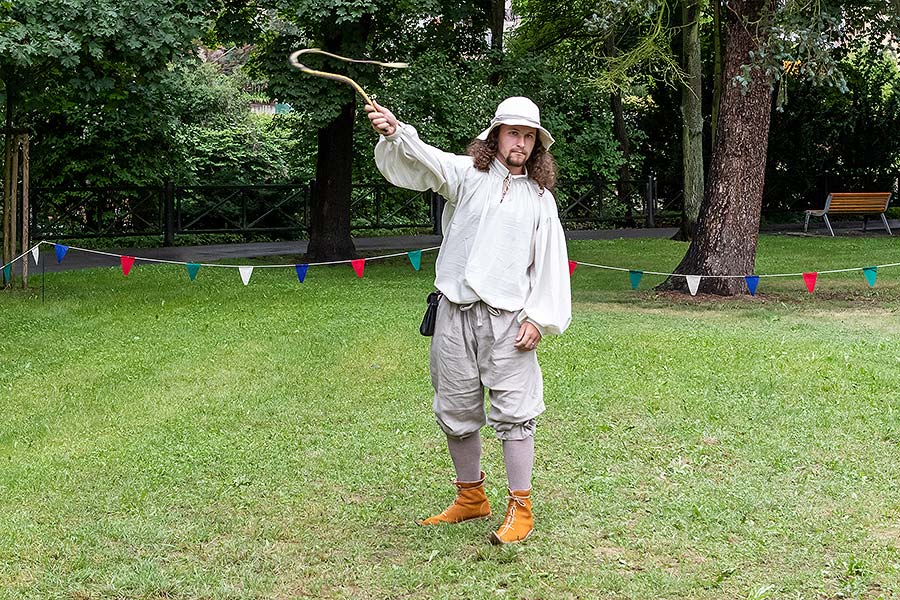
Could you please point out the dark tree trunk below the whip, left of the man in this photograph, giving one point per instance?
(329, 220)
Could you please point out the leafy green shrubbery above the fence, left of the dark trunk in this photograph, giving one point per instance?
(193, 127)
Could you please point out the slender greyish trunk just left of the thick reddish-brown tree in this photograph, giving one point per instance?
(692, 118)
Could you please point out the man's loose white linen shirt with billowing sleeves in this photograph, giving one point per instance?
(506, 249)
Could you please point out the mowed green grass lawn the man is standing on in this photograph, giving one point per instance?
(168, 439)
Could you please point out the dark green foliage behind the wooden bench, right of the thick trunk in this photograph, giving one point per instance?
(825, 140)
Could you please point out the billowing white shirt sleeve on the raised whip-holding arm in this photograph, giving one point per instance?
(408, 162)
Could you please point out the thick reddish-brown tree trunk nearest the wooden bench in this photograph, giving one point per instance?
(728, 227)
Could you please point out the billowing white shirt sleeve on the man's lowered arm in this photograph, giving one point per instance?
(549, 302)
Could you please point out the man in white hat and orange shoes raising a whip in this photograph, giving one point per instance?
(503, 271)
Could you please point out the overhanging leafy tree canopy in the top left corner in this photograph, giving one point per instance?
(90, 46)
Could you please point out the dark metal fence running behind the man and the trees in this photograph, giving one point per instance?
(170, 210)
